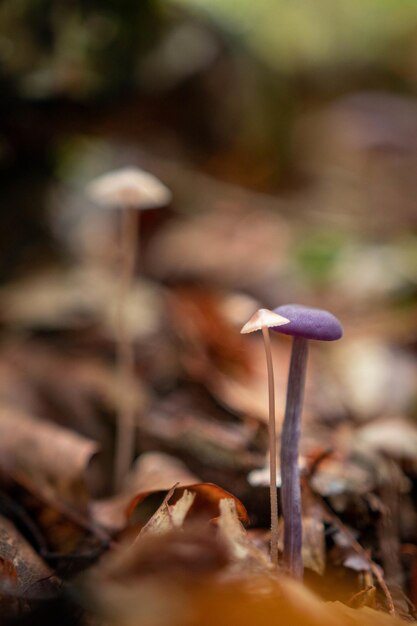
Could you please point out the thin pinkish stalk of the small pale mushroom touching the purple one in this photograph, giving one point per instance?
(272, 448)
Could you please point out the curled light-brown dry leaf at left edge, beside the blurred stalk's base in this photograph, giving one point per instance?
(45, 457)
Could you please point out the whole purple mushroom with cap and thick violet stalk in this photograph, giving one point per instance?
(305, 323)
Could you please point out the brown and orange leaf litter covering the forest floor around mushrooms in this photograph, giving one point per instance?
(186, 538)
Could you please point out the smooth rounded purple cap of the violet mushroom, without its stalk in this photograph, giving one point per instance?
(308, 322)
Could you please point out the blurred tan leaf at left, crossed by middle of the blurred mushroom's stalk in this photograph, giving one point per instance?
(76, 298)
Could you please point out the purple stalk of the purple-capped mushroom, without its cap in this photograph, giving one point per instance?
(291, 490)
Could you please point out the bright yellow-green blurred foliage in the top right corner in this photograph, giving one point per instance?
(306, 34)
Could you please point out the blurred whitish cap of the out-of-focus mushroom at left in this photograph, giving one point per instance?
(129, 187)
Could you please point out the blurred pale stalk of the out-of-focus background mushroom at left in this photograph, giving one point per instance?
(125, 351)
